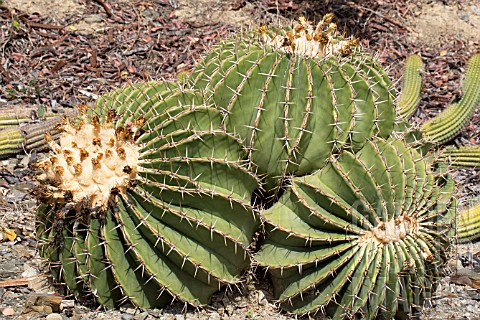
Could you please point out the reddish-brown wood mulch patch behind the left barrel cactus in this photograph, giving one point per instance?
(47, 63)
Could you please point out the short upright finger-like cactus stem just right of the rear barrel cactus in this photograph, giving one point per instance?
(411, 85)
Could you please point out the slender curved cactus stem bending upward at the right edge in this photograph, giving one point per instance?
(449, 123)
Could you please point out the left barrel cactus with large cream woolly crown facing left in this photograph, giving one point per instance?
(150, 205)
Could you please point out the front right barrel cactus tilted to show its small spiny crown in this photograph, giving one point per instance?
(364, 237)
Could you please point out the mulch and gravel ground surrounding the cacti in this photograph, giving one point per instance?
(110, 43)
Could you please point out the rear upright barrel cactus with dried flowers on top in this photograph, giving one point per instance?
(295, 96)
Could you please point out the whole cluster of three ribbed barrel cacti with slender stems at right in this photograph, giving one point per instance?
(156, 192)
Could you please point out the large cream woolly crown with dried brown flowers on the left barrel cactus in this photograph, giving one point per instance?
(90, 161)
